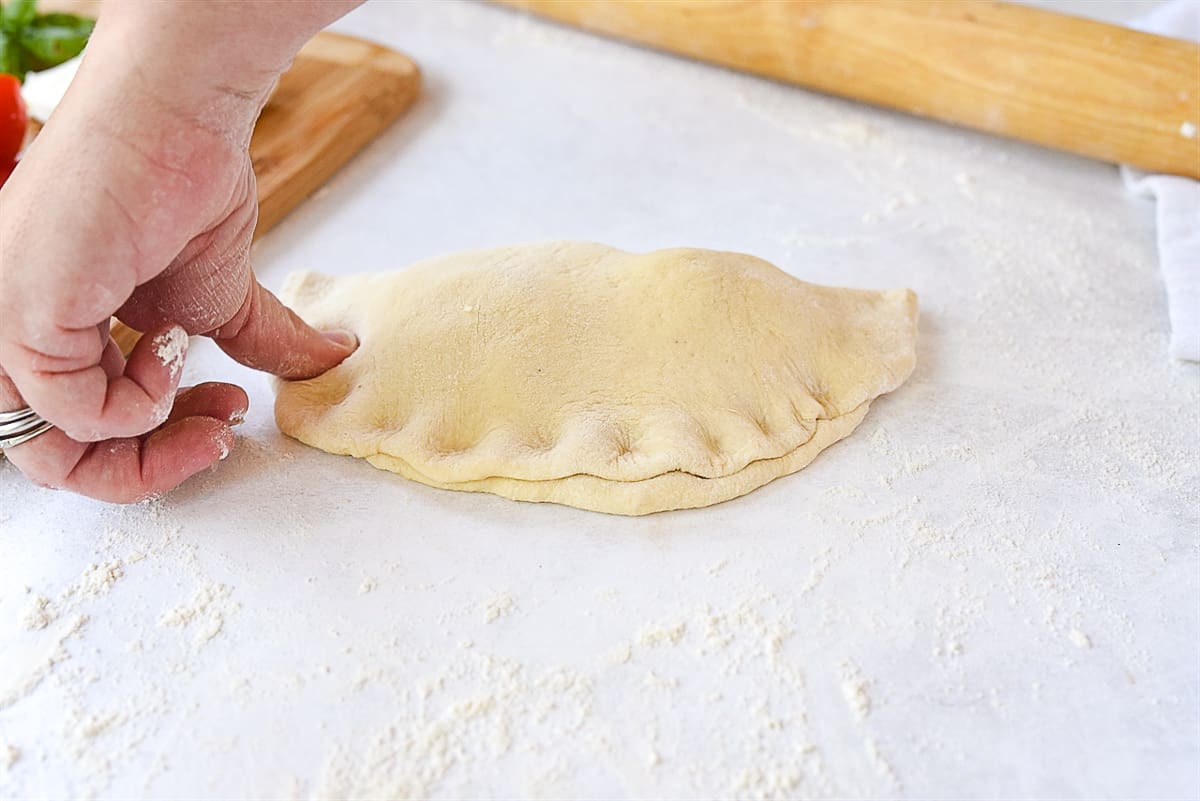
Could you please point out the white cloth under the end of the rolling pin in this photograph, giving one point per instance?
(1179, 202)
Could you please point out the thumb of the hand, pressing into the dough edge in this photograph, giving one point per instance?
(268, 336)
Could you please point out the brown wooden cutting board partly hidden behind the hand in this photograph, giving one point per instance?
(340, 94)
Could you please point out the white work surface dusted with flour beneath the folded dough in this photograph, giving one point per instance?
(989, 591)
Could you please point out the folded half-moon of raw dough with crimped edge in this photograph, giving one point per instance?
(581, 375)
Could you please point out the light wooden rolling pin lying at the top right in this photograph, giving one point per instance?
(1064, 82)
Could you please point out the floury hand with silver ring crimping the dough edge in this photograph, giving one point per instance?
(139, 200)
